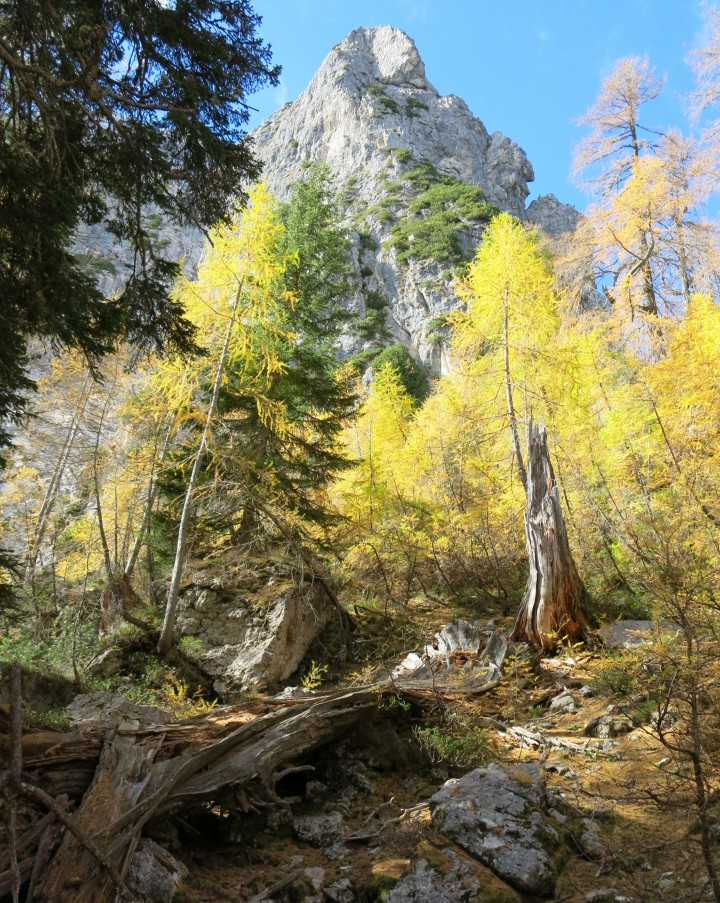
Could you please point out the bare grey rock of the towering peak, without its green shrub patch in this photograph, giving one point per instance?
(371, 115)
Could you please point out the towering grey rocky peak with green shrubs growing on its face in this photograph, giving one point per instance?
(419, 177)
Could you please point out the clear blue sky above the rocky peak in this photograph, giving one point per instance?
(527, 68)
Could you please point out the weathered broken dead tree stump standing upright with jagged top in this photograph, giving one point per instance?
(552, 606)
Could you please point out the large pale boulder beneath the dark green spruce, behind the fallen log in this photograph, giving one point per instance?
(245, 643)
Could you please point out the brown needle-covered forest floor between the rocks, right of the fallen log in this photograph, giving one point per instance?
(634, 792)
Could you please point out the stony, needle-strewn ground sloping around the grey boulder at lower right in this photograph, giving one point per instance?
(375, 789)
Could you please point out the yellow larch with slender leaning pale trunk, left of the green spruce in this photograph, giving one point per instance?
(236, 303)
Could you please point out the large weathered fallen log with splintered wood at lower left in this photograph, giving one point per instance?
(231, 758)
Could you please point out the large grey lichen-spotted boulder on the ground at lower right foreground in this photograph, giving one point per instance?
(500, 816)
